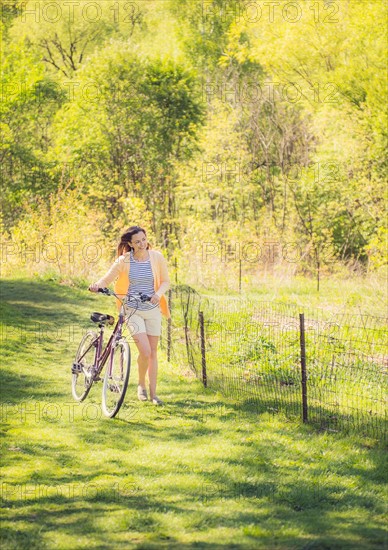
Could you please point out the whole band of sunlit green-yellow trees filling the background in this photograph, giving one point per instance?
(224, 127)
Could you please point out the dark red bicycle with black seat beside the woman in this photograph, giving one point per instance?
(91, 358)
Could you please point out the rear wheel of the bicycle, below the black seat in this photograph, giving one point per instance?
(84, 361)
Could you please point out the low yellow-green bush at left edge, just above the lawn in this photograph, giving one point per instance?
(58, 238)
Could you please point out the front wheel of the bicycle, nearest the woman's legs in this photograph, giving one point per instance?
(116, 378)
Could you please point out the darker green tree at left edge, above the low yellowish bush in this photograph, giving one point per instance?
(30, 99)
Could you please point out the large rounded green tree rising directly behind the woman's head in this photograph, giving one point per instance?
(142, 122)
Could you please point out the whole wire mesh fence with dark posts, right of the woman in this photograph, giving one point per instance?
(253, 350)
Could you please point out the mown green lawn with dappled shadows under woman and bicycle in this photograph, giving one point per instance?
(198, 473)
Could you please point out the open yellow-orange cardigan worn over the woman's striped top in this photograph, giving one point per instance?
(120, 272)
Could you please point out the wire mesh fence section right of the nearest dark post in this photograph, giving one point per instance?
(347, 372)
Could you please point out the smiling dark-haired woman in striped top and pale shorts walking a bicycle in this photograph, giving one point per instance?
(140, 269)
